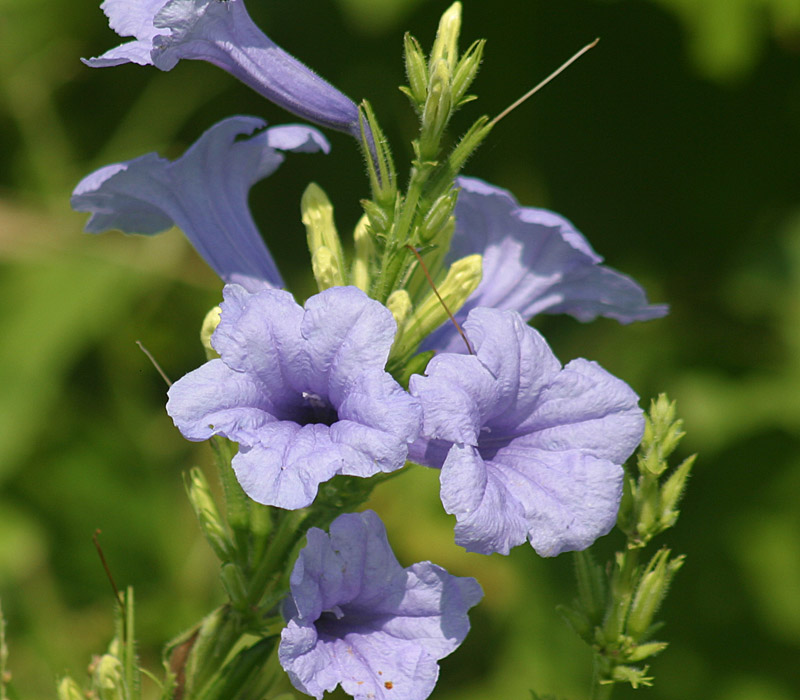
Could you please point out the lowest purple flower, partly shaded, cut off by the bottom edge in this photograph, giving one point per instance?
(358, 619)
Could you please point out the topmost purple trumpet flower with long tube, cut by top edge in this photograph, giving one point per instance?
(221, 32)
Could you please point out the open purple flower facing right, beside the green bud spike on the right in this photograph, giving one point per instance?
(528, 449)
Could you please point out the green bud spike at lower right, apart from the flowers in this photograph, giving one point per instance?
(617, 604)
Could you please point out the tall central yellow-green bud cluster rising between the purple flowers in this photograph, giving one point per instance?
(401, 243)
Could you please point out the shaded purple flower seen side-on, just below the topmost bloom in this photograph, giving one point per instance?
(204, 193)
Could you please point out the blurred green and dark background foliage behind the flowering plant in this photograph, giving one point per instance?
(674, 146)
